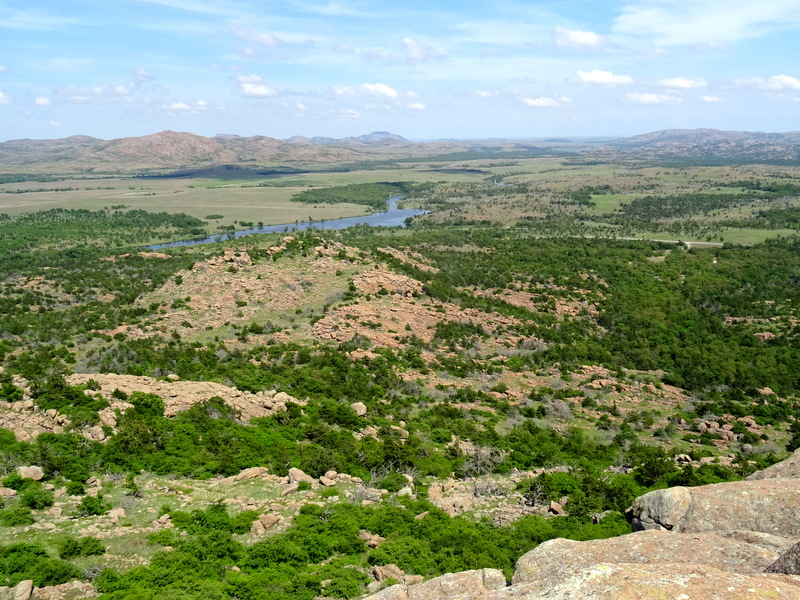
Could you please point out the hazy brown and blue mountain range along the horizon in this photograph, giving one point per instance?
(174, 150)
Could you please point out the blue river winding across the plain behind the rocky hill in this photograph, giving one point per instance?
(394, 217)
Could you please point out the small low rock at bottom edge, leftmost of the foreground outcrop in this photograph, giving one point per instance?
(469, 585)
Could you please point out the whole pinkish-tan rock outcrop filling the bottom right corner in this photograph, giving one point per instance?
(728, 541)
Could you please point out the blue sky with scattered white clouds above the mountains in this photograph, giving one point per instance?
(424, 70)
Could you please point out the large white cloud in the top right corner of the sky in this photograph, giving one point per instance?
(677, 22)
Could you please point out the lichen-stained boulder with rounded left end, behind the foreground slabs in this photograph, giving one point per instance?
(769, 506)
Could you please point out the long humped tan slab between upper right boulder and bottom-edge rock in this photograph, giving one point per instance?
(562, 557)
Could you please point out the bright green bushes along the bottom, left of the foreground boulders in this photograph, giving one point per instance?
(323, 545)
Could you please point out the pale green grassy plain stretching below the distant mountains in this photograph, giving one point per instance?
(534, 190)
